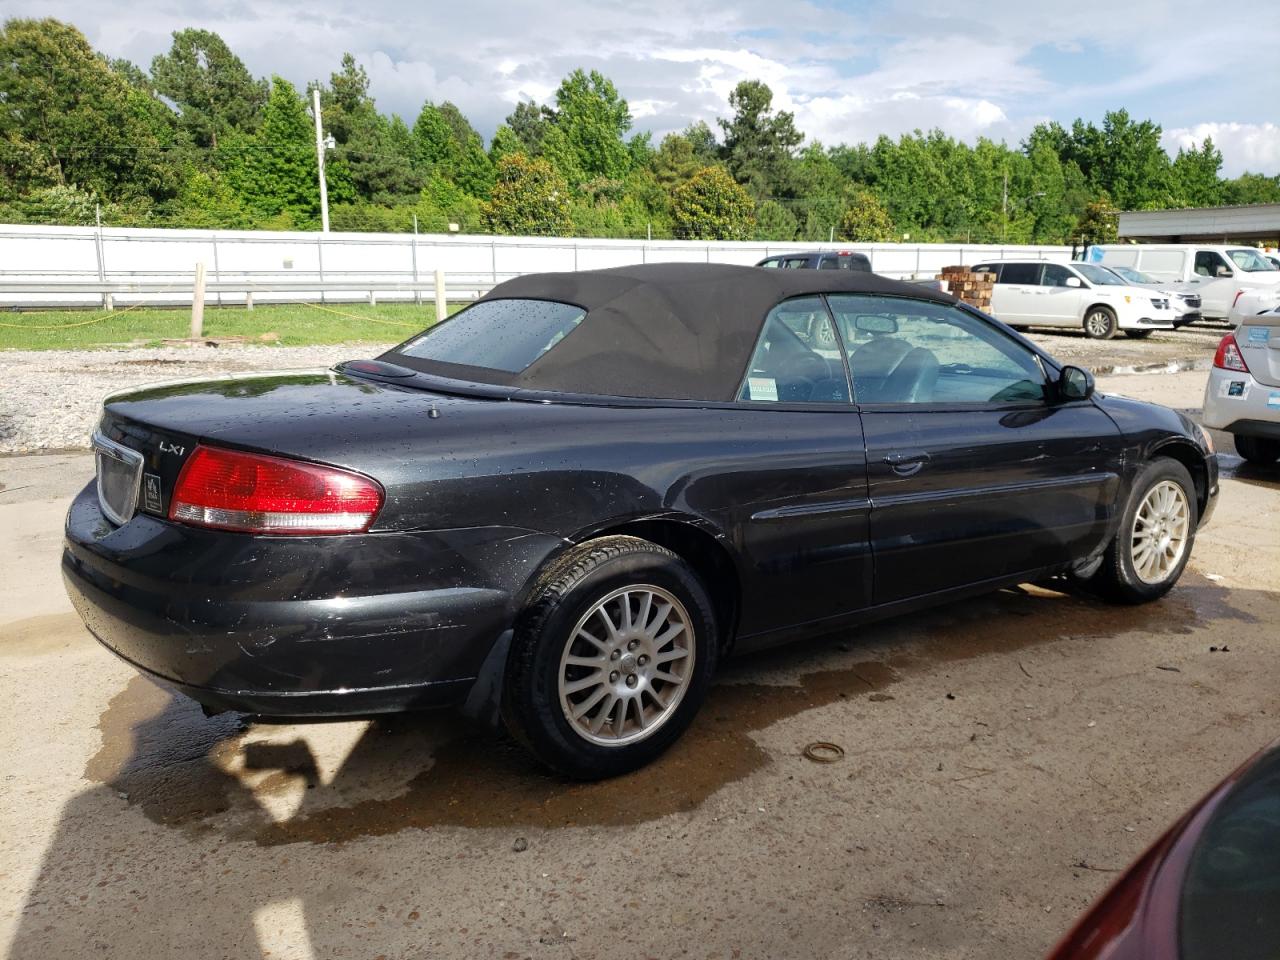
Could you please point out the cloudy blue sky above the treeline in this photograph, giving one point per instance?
(849, 71)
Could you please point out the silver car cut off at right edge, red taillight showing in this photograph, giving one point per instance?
(1242, 396)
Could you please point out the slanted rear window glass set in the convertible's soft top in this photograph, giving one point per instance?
(499, 335)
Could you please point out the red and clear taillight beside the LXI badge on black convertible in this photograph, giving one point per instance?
(258, 495)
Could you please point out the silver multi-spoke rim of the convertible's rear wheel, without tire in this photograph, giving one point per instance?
(627, 666)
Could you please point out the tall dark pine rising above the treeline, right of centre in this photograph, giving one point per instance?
(760, 143)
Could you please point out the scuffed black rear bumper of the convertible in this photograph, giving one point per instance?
(296, 627)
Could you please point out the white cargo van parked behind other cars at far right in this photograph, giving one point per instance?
(1220, 273)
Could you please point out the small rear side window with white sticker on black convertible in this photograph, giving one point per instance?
(798, 358)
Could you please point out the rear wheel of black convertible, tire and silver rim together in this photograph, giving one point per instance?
(611, 660)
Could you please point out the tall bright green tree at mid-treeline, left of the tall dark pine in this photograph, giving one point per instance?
(595, 120)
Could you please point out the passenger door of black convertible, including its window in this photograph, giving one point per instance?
(976, 473)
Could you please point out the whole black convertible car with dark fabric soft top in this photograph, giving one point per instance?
(566, 504)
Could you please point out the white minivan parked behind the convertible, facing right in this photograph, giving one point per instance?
(1039, 294)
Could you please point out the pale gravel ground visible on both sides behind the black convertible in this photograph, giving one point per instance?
(51, 399)
